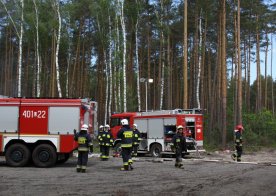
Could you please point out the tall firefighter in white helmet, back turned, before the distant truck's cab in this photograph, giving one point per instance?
(126, 136)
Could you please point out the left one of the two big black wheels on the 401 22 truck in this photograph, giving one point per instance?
(17, 155)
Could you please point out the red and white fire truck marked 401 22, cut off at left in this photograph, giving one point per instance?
(41, 130)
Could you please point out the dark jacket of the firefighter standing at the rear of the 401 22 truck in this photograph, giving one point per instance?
(84, 141)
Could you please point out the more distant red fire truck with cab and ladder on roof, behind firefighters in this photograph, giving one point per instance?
(158, 127)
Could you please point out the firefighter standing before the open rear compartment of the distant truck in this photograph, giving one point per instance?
(179, 145)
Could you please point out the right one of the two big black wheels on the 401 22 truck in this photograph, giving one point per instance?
(44, 155)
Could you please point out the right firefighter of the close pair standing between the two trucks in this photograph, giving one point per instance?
(106, 142)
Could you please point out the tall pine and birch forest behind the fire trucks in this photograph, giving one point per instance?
(199, 54)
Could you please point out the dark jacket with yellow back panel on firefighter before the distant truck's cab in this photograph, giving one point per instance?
(126, 136)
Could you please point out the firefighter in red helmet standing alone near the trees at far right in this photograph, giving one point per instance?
(238, 143)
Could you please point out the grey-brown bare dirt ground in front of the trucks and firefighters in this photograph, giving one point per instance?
(214, 174)
